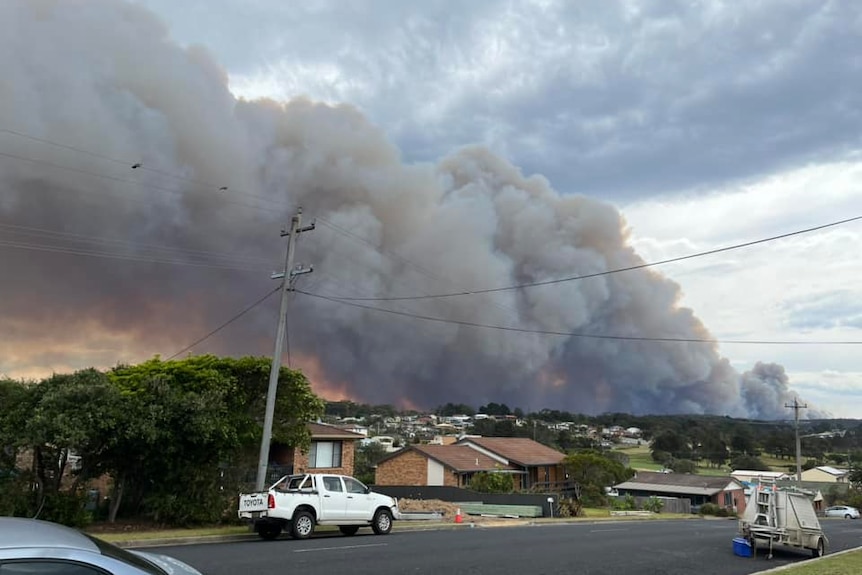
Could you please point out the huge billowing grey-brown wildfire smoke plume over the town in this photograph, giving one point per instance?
(104, 79)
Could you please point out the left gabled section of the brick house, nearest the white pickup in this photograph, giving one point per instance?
(449, 465)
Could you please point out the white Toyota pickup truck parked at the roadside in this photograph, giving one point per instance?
(298, 503)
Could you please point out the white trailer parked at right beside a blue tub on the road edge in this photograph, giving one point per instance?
(779, 517)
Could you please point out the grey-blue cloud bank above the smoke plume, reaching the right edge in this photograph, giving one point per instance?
(615, 99)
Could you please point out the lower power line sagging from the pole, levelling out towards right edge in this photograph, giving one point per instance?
(572, 334)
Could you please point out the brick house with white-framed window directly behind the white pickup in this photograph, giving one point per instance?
(332, 451)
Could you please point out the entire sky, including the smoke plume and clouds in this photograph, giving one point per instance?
(443, 146)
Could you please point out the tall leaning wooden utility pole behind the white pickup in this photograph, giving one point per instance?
(287, 278)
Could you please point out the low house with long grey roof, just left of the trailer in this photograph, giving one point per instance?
(726, 492)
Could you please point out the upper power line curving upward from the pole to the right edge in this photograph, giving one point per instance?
(607, 272)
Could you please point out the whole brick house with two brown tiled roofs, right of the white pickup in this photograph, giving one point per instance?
(531, 463)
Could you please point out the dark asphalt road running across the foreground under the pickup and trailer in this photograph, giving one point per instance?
(613, 548)
